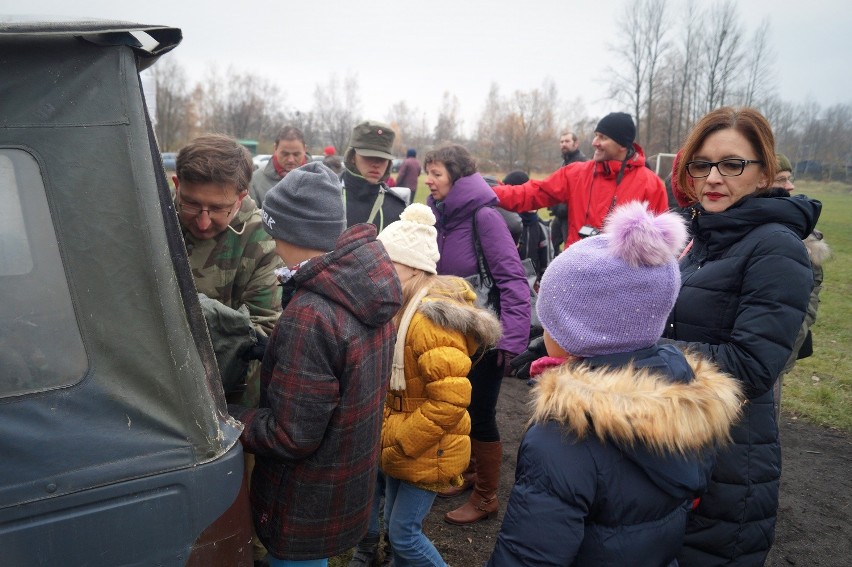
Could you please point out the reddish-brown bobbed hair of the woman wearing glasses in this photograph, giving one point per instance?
(748, 122)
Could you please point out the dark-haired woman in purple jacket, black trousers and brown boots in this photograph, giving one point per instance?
(457, 193)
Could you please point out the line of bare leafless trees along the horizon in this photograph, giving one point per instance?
(669, 68)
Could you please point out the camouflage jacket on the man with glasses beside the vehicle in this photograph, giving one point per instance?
(239, 269)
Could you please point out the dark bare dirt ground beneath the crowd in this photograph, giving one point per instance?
(814, 520)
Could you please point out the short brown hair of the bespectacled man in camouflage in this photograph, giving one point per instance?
(215, 158)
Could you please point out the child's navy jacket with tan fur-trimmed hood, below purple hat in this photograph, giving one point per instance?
(618, 449)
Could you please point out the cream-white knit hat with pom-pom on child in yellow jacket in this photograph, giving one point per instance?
(412, 240)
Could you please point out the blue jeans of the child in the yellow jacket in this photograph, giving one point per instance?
(405, 507)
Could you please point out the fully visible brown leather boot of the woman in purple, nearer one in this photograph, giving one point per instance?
(482, 503)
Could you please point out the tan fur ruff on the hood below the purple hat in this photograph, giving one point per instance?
(629, 406)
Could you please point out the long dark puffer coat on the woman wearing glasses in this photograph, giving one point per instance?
(746, 282)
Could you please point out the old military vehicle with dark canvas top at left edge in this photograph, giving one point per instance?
(116, 444)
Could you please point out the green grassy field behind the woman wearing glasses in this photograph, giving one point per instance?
(819, 388)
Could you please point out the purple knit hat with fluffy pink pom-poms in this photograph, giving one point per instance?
(612, 293)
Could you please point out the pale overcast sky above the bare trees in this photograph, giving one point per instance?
(416, 50)
